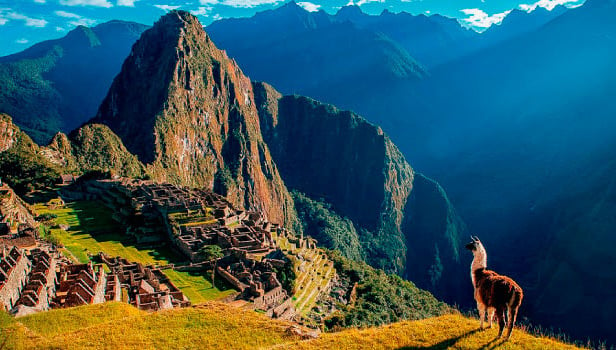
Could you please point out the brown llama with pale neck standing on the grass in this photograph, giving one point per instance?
(494, 293)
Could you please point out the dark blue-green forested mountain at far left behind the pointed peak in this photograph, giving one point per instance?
(52, 85)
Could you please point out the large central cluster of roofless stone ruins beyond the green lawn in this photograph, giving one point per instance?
(191, 219)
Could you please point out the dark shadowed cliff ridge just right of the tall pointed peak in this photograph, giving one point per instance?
(405, 222)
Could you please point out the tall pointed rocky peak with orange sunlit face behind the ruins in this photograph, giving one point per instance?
(187, 111)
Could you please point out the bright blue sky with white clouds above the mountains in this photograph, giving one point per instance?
(26, 22)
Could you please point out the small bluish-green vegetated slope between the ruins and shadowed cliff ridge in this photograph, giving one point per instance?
(327, 227)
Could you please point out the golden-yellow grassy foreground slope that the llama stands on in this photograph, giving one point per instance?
(220, 326)
